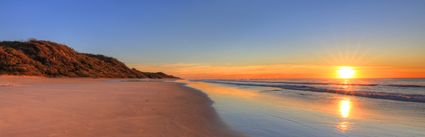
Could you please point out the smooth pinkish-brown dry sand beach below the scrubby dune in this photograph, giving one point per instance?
(46, 107)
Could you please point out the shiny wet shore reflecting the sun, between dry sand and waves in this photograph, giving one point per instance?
(270, 112)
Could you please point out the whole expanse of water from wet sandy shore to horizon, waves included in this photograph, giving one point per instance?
(319, 107)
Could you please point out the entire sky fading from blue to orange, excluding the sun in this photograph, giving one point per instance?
(233, 38)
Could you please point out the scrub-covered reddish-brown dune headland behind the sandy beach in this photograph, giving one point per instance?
(51, 59)
